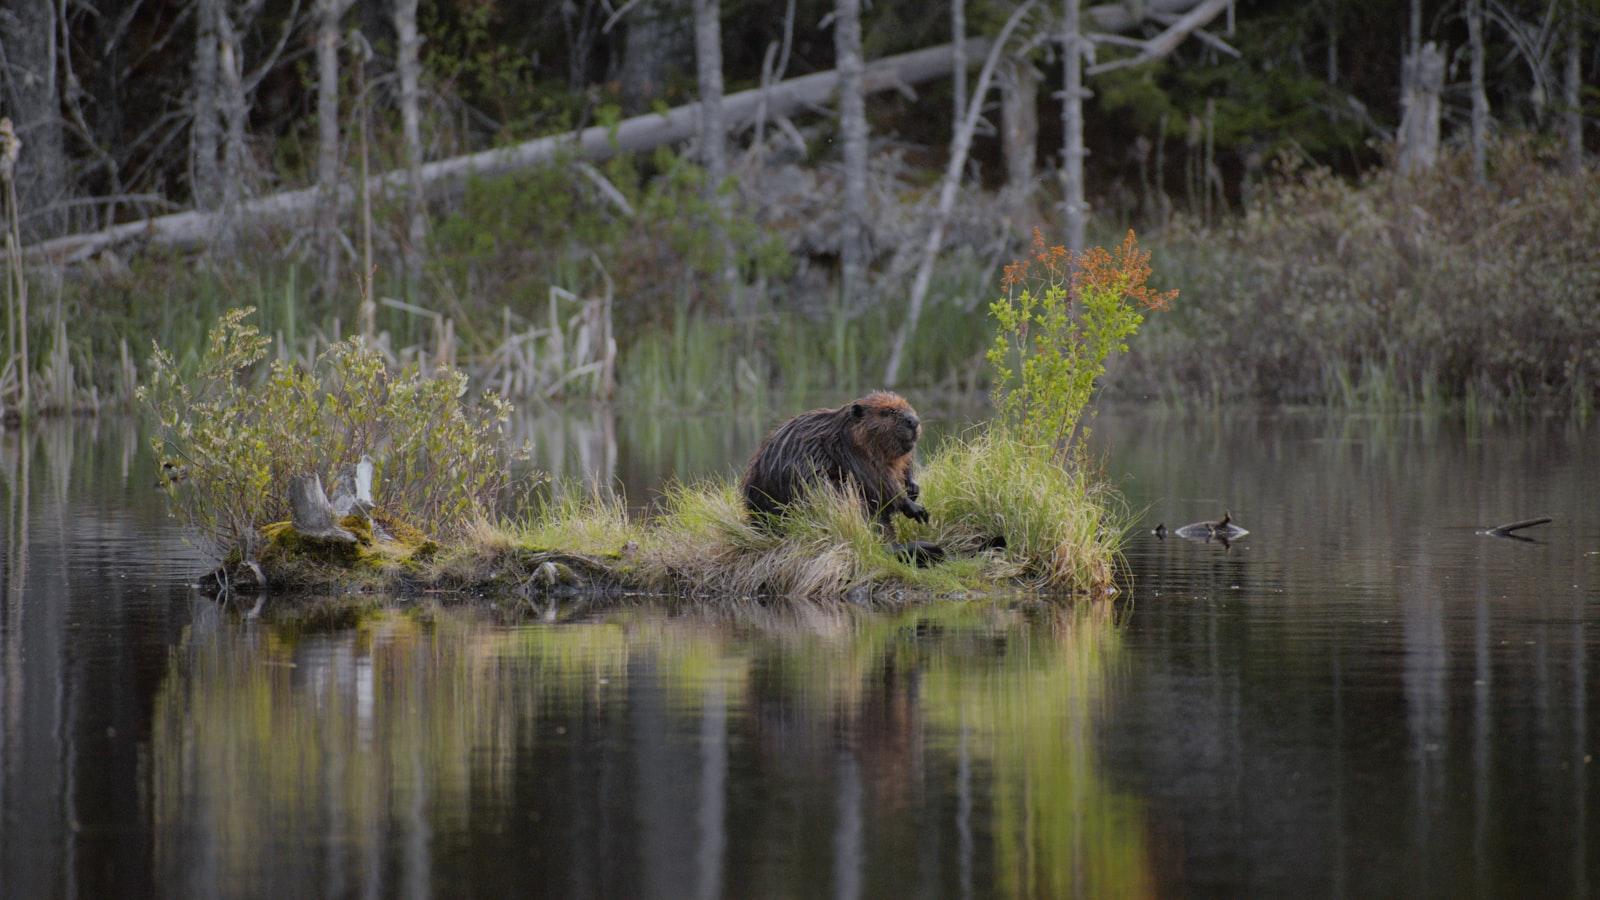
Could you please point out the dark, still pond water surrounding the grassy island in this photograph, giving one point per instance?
(1362, 697)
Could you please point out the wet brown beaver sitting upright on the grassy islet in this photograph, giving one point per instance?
(866, 444)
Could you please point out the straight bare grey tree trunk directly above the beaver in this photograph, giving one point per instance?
(854, 132)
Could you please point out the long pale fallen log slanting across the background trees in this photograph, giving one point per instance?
(593, 145)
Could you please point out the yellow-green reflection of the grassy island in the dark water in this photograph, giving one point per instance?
(646, 753)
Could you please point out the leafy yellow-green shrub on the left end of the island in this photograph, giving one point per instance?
(439, 462)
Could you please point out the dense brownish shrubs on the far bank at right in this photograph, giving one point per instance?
(1390, 291)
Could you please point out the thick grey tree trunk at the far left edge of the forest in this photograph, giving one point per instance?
(33, 97)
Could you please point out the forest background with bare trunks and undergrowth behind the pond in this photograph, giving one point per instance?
(1374, 204)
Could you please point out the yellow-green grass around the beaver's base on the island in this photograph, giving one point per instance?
(1060, 528)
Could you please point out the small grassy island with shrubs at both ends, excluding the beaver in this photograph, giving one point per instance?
(420, 476)
